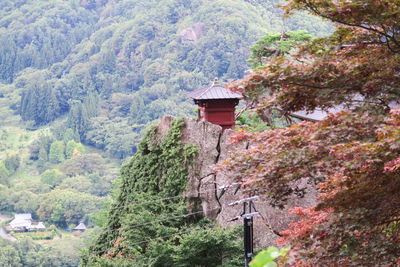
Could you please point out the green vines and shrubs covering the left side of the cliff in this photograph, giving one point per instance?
(159, 169)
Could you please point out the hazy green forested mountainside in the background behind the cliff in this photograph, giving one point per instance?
(80, 80)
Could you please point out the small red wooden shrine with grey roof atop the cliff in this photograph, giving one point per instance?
(216, 104)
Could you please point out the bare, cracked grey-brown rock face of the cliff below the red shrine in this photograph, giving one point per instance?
(203, 184)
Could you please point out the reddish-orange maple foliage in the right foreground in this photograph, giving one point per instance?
(352, 156)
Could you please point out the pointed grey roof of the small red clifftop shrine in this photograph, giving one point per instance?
(214, 91)
